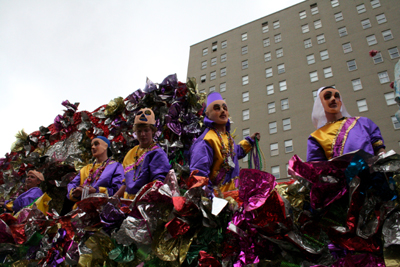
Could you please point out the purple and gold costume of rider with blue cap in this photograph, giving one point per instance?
(108, 183)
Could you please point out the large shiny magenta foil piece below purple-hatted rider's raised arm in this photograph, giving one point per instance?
(255, 188)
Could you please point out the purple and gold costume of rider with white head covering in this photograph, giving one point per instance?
(344, 136)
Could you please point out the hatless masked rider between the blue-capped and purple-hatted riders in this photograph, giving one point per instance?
(145, 162)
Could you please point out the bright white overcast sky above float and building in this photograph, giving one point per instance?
(94, 51)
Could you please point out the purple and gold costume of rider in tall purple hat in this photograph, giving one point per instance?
(206, 156)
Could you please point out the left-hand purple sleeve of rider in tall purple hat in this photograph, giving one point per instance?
(201, 158)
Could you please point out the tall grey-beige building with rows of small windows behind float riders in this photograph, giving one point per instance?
(269, 70)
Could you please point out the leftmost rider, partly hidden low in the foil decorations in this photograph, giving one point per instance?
(32, 183)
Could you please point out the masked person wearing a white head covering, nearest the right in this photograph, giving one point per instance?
(337, 132)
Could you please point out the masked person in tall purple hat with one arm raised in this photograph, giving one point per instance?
(214, 154)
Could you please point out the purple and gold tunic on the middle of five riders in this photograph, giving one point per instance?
(154, 166)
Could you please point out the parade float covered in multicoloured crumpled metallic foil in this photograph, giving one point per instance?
(343, 212)
